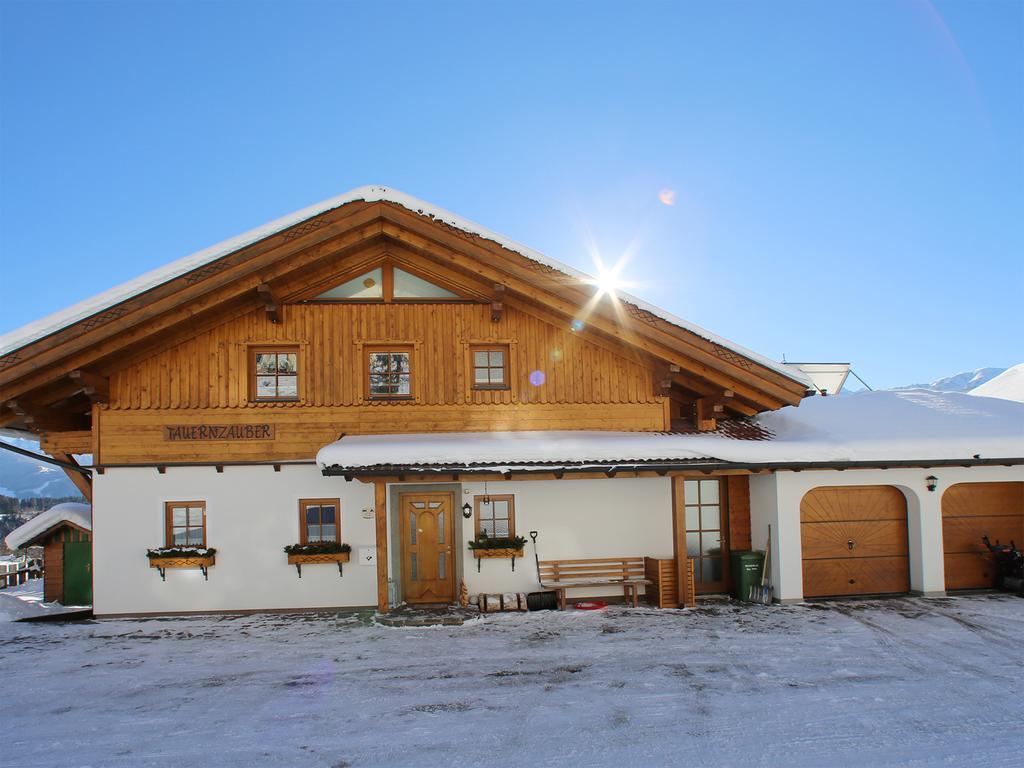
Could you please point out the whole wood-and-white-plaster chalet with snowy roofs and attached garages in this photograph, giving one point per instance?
(377, 385)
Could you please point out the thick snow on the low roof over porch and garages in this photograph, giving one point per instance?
(885, 426)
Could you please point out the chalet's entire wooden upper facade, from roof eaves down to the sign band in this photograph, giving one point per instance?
(179, 354)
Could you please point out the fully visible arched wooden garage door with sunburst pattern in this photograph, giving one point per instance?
(855, 541)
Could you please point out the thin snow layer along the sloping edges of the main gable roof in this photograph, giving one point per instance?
(58, 321)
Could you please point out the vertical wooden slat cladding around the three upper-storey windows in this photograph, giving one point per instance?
(210, 371)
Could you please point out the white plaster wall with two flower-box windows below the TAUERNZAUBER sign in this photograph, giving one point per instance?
(252, 515)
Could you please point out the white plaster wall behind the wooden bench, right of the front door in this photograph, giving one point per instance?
(614, 518)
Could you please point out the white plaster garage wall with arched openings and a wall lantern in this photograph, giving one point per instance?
(777, 498)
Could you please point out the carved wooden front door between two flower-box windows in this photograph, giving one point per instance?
(428, 563)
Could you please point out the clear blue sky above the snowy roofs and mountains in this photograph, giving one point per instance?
(849, 177)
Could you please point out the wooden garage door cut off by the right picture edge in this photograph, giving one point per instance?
(971, 510)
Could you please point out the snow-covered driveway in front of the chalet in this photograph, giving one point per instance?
(905, 682)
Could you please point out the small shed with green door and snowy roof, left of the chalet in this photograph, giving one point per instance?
(65, 533)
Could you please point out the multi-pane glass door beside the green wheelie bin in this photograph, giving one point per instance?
(706, 534)
